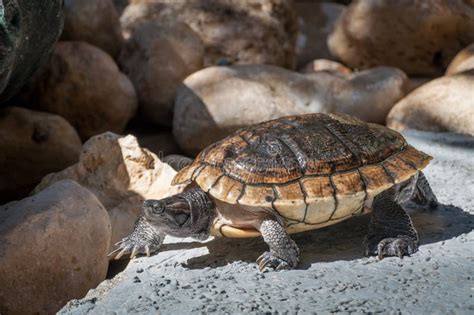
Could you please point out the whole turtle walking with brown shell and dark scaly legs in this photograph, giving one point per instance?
(290, 175)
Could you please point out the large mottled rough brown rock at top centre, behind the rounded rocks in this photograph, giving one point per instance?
(242, 32)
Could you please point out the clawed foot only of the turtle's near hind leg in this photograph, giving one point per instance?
(394, 246)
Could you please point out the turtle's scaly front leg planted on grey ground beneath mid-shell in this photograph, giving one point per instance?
(283, 254)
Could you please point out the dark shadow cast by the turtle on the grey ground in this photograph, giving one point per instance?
(343, 241)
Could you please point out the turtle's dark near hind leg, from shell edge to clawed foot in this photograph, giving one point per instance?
(391, 231)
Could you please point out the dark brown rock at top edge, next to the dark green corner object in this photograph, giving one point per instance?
(93, 21)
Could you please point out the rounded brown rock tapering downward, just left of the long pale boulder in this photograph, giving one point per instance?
(157, 58)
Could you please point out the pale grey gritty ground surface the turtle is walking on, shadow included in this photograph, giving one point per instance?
(220, 275)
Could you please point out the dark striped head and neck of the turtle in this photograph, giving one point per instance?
(187, 214)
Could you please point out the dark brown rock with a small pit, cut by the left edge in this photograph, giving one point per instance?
(32, 144)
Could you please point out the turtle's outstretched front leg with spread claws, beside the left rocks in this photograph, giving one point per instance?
(143, 240)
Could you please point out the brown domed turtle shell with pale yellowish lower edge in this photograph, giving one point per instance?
(314, 169)
